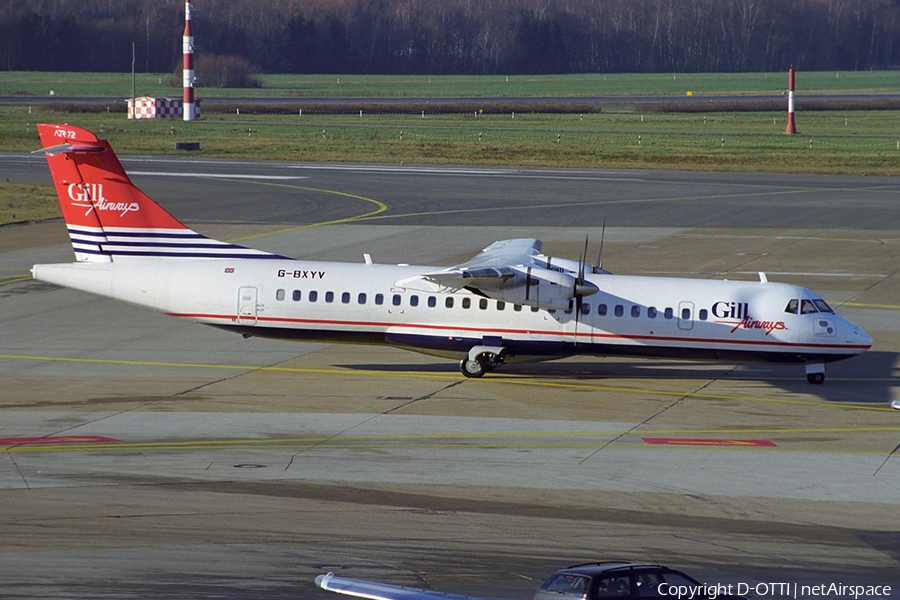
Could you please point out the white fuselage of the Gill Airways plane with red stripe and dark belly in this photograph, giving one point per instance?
(391, 304)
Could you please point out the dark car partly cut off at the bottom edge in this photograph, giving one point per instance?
(627, 580)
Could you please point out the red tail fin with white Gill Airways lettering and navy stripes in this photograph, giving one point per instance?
(108, 218)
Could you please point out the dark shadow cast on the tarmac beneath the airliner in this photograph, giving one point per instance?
(867, 379)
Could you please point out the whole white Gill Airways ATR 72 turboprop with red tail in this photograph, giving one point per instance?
(508, 303)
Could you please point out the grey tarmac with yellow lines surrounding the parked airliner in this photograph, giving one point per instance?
(189, 462)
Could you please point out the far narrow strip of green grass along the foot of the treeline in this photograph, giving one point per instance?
(615, 84)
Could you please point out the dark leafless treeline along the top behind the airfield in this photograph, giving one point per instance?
(455, 36)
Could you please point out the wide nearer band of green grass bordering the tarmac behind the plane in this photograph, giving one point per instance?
(848, 142)
